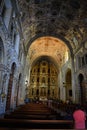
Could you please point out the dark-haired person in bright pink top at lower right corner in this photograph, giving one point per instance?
(79, 116)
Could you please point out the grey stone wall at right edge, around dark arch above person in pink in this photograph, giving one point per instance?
(80, 70)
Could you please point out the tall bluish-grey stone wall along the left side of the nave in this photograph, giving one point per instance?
(11, 55)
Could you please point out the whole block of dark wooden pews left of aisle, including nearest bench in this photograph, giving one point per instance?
(33, 116)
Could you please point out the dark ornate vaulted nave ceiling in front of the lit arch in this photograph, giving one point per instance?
(62, 19)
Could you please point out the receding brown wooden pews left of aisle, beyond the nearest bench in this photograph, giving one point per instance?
(31, 111)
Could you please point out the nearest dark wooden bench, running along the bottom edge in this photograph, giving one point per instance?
(36, 124)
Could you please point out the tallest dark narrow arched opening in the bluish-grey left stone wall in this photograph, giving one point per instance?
(9, 93)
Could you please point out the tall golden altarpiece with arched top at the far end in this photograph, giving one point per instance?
(43, 81)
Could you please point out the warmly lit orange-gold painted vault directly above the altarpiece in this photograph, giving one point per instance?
(48, 47)
